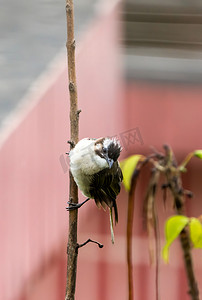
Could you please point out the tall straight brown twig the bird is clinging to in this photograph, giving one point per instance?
(74, 130)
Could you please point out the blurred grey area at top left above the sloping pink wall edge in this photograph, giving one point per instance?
(32, 34)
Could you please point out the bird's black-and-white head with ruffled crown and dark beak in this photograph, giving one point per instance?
(108, 149)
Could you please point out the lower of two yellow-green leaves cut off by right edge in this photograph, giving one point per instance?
(196, 232)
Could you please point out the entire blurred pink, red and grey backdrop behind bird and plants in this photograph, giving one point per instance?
(139, 72)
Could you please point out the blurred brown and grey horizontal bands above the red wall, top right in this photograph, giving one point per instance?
(163, 40)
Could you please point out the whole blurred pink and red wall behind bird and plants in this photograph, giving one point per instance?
(34, 185)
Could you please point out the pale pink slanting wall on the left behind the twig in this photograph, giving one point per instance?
(34, 186)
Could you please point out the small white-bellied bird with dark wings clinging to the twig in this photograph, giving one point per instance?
(95, 168)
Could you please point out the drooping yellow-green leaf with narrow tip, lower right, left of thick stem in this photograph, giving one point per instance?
(173, 227)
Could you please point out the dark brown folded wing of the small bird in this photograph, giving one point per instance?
(106, 186)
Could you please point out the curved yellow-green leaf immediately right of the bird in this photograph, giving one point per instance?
(128, 166)
